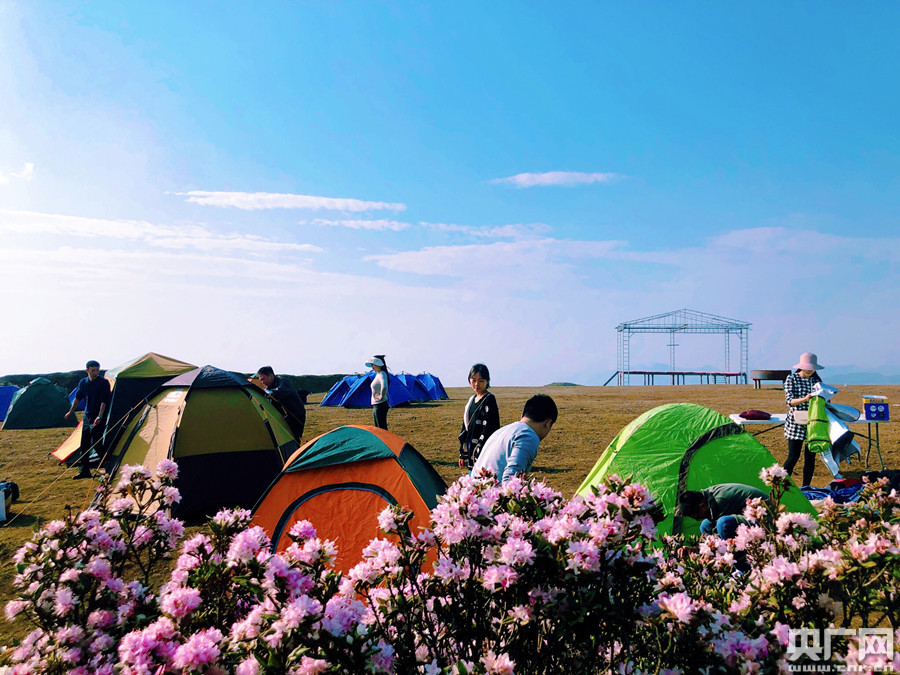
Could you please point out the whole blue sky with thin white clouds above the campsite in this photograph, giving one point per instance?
(305, 184)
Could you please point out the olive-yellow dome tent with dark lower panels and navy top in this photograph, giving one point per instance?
(229, 441)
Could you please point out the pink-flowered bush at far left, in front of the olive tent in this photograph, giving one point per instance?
(73, 577)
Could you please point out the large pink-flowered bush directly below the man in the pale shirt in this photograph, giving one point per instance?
(522, 579)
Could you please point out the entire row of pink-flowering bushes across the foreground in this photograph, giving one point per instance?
(511, 578)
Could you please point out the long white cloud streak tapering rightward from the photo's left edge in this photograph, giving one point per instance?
(163, 236)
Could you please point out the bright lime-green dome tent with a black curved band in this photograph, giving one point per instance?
(684, 446)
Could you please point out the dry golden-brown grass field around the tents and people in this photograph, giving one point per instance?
(590, 417)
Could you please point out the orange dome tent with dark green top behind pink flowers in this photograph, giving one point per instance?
(340, 482)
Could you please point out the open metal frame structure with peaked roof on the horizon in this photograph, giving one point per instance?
(683, 321)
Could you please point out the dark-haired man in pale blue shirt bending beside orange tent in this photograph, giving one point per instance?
(511, 449)
